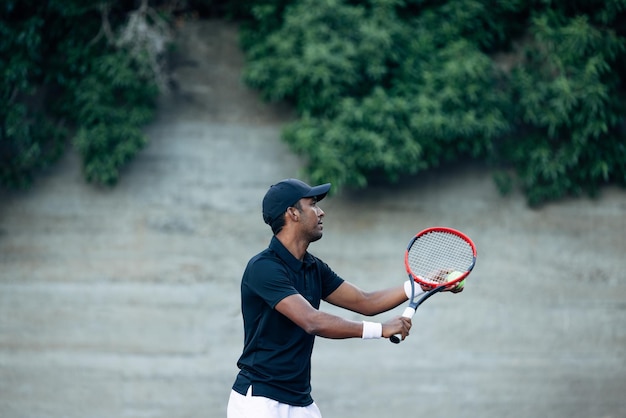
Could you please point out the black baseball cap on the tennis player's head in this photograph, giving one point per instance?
(285, 194)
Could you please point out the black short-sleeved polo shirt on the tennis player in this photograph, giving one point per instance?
(276, 357)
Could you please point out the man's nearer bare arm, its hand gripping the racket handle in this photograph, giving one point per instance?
(315, 322)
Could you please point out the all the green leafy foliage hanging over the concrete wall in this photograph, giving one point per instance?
(382, 87)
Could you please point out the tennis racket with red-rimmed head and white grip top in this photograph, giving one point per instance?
(437, 258)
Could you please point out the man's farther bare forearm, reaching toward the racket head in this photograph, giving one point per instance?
(350, 297)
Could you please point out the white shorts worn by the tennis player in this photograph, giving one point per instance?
(249, 406)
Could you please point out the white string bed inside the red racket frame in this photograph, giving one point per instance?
(435, 254)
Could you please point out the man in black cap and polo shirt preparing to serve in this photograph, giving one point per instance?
(281, 290)
